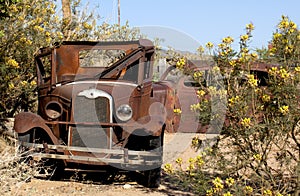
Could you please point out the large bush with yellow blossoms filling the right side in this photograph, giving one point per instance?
(263, 112)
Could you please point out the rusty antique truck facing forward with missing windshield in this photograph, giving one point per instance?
(98, 106)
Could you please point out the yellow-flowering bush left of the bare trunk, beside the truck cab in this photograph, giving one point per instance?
(22, 34)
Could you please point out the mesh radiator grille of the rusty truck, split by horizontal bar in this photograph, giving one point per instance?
(91, 111)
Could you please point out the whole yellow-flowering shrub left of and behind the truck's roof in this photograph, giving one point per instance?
(28, 25)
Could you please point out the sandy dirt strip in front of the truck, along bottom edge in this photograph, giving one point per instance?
(43, 187)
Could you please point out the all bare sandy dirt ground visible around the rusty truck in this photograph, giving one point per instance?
(176, 145)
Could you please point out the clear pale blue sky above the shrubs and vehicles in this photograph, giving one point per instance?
(188, 24)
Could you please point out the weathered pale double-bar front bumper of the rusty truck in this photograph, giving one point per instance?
(112, 156)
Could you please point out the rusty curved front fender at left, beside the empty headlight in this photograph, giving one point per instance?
(26, 121)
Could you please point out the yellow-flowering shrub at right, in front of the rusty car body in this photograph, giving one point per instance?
(258, 150)
